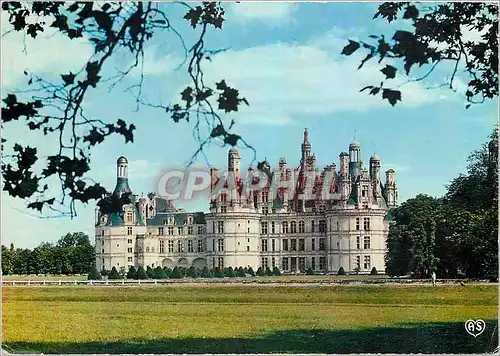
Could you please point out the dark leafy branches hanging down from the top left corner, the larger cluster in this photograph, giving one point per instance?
(113, 28)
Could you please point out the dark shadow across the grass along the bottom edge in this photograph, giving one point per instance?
(412, 338)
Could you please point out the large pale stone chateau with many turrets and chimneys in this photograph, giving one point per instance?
(303, 217)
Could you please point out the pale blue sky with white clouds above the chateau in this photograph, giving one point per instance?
(285, 59)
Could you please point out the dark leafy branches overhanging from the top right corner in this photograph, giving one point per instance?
(437, 35)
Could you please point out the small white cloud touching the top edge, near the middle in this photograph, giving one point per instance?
(272, 13)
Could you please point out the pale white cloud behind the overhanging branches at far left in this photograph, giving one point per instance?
(49, 53)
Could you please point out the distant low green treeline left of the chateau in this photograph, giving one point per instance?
(72, 254)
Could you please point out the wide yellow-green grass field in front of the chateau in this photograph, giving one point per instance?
(250, 319)
